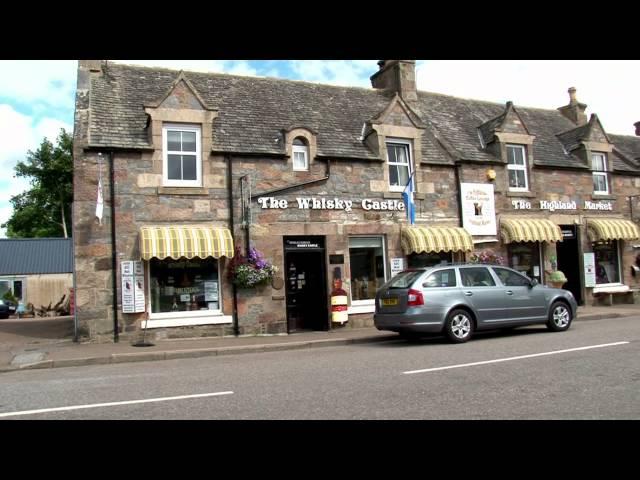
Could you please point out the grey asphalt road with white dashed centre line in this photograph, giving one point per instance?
(591, 371)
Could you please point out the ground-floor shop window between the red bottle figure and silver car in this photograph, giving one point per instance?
(366, 261)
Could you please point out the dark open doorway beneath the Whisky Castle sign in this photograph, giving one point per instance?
(305, 283)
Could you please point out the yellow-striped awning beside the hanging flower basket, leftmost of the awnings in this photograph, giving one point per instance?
(185, 241)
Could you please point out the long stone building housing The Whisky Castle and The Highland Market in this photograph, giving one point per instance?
(201, 166)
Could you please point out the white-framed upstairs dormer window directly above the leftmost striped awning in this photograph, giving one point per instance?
(182, 161)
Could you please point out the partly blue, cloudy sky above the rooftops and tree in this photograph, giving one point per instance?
(37, 97)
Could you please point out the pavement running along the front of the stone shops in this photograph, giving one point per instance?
(48, 343)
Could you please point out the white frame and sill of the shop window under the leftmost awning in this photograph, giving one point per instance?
(179, 319)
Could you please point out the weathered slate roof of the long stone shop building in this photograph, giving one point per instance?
(253, 111)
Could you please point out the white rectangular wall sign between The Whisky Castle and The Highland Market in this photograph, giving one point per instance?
(478, 208)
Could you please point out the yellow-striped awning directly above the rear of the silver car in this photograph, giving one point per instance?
(435, 239)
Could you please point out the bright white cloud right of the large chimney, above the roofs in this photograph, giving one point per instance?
(609, 88)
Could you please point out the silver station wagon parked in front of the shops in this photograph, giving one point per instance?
(459, 299)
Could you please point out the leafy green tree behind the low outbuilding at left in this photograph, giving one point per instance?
(45, 209)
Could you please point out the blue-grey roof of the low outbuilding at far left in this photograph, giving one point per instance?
(27, 256)
